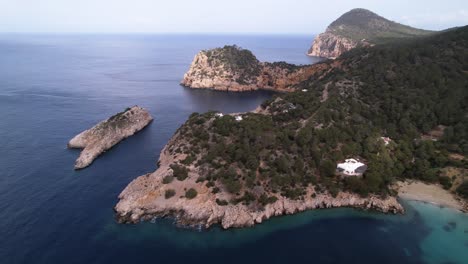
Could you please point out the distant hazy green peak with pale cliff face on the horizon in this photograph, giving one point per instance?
(359, 28)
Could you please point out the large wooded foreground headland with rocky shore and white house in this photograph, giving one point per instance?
(373, 106)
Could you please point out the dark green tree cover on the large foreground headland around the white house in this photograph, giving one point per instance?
(397, 90)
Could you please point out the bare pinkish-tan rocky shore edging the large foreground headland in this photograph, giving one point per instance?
(181, 192)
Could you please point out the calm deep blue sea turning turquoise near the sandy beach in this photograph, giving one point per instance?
(53, 87)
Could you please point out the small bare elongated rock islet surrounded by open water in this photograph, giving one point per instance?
(108, 133)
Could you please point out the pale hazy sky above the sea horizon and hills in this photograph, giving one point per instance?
(216, 16)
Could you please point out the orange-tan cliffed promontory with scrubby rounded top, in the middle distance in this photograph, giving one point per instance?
(234, 69)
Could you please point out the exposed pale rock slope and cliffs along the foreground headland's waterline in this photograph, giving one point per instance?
(144, 198)
